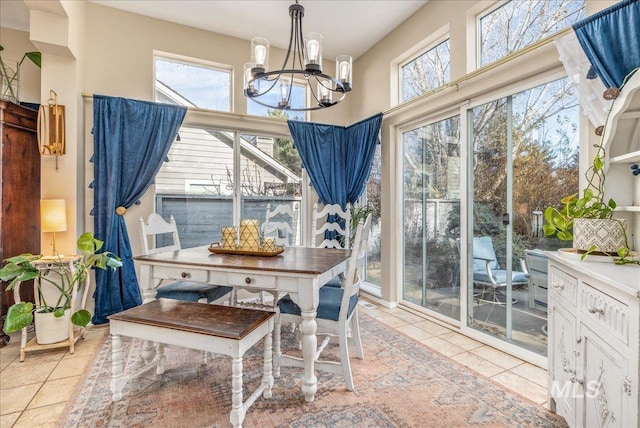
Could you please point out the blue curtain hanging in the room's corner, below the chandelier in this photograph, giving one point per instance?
(337, 158)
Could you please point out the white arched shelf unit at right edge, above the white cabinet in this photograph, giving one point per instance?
(621, 140)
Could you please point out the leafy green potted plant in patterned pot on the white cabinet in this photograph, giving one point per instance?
(580, 216)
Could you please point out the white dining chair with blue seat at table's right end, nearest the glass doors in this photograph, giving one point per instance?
(337, 314)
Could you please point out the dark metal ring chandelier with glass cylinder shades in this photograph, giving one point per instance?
(304, 62)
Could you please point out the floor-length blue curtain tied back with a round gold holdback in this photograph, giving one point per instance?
(130, 141)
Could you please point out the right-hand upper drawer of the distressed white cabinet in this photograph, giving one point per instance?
(604, 314)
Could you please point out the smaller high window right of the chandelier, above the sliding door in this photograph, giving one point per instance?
(426, 72)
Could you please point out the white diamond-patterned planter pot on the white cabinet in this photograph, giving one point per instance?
(608, 235)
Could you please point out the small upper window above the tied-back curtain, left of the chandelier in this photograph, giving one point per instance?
(193, 85)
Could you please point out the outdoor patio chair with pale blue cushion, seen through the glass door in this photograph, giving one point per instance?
(488, 274)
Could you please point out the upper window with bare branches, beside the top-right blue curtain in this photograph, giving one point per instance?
(517, 24)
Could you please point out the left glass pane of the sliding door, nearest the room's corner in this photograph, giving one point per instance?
(431, 168)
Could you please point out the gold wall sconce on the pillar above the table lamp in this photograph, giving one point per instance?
(51, 126)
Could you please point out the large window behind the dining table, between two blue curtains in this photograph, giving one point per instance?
(205, 187)
